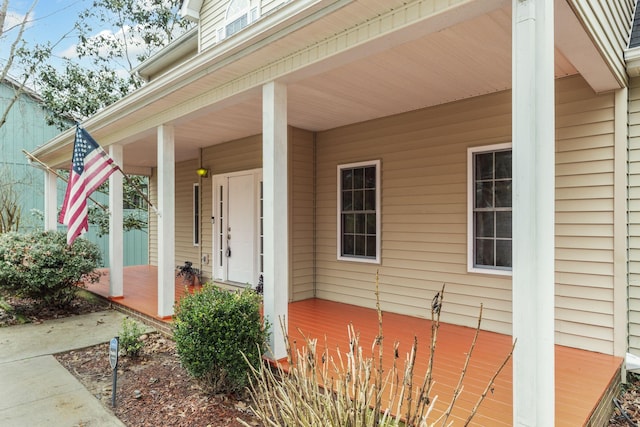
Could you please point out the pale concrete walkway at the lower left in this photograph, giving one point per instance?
(35, 390)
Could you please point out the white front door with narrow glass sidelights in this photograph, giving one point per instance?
(235, 235)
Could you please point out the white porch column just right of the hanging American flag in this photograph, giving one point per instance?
(116, 240)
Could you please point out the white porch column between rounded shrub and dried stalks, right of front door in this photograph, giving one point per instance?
(276, 217)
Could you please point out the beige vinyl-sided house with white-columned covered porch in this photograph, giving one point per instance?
(477, 143)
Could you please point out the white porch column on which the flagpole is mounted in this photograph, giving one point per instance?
(166, 220)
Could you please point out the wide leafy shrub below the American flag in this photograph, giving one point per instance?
(40, 265)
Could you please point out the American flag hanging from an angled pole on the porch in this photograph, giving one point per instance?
(90, 167)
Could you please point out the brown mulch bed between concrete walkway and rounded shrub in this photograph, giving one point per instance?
(153, 389)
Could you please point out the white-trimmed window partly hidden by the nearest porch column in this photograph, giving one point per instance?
(490, 209)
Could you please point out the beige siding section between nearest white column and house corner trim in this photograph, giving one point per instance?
(584, 217)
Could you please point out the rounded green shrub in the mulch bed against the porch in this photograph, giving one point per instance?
(212, 329)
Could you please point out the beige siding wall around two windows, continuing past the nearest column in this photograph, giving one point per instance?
(424, 192)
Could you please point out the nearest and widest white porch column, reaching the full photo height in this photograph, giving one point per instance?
(533, 212)
